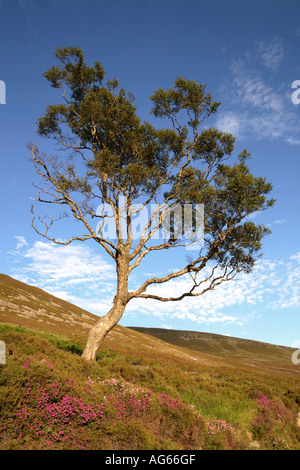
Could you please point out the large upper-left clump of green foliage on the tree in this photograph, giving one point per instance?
(101, 119)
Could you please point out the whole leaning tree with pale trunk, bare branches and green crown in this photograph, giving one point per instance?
(112, 156)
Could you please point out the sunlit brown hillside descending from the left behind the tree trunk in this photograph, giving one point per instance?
(29, 306)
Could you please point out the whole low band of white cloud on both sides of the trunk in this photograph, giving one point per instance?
(75, 273)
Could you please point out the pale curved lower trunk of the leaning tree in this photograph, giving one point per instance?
(103, 326)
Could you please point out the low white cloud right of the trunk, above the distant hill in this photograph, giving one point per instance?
(273, 284)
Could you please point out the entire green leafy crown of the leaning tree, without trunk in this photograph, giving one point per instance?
(118, 154)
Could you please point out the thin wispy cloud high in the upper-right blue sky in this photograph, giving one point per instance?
(254, 107)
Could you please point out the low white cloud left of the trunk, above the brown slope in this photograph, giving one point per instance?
(73, 272)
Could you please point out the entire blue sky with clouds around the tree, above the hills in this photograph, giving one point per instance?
(247, 53)
